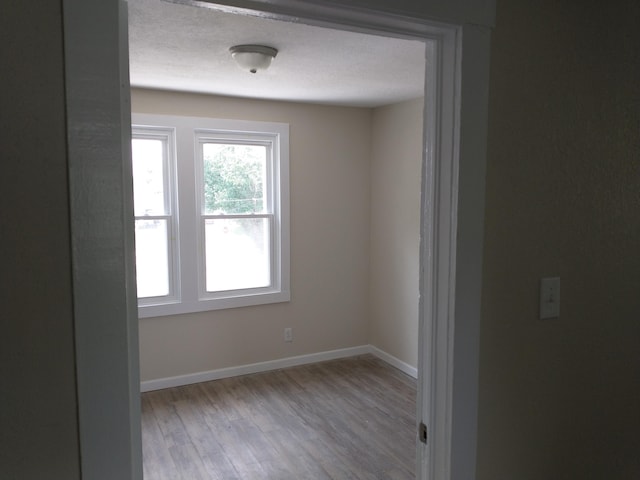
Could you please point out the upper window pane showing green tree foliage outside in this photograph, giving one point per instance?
(234, 178)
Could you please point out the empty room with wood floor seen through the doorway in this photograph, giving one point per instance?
(279, 311)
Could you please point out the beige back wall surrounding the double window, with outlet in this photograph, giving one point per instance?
(329, 181)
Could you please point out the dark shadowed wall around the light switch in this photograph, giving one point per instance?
(559, 398)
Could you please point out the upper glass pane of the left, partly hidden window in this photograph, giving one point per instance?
(148, 176)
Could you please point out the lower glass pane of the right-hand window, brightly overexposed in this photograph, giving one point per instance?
(237, 253)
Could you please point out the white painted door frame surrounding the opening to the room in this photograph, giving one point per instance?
(452, 211)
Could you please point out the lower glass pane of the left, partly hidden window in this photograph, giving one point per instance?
(152, 258)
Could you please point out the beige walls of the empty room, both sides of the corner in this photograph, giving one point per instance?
(346, 163)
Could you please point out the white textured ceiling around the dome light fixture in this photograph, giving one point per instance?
(185, 48)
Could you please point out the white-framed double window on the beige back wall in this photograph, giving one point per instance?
(229, 240)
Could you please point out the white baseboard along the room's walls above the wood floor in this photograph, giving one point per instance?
(180, 380)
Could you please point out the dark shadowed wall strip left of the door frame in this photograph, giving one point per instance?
(39, 428)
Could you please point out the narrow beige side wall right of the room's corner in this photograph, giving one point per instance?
(396, 160)
